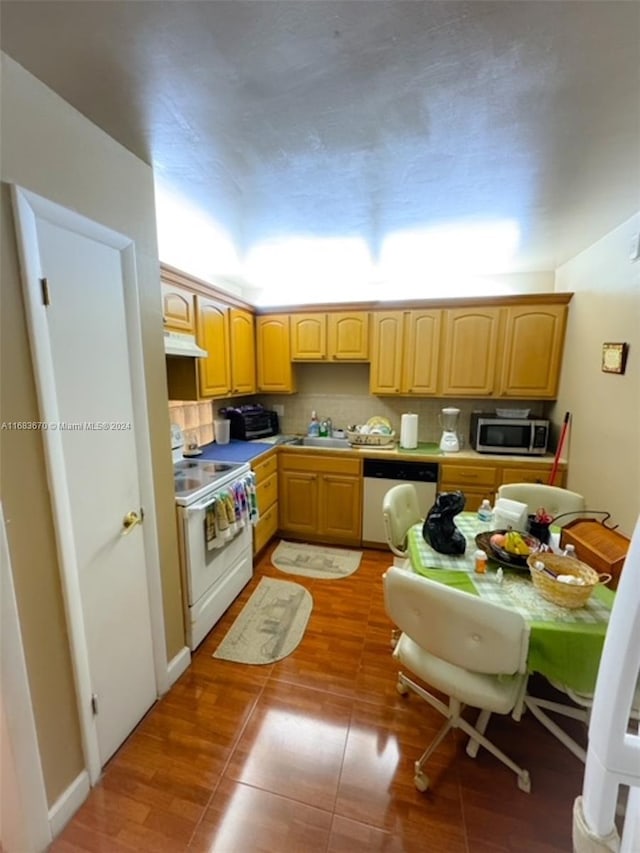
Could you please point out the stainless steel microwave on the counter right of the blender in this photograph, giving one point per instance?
(519, 436)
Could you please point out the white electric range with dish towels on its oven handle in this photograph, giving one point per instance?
(215, 563)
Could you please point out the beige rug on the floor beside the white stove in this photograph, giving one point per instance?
(270, 626)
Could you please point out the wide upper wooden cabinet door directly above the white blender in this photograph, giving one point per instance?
(470, 352)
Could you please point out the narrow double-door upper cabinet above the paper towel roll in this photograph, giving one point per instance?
(405, 352)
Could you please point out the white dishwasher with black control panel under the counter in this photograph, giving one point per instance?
(379, 476)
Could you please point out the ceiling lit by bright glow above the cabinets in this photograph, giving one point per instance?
(363, 119)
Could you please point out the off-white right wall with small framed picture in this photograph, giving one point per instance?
(604, 443)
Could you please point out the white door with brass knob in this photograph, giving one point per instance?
(85, 387)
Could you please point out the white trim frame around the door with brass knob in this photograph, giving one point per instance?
(28, 207)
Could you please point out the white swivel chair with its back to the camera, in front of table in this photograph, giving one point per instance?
(464, 646)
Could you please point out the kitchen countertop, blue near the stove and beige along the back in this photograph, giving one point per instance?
(246, 451)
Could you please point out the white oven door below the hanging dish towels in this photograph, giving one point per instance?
(203, 567)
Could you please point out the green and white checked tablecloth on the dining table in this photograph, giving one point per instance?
(565, 645)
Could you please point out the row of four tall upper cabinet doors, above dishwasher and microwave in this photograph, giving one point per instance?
(472, 351)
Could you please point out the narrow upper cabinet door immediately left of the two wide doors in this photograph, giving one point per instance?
(422, 352)
